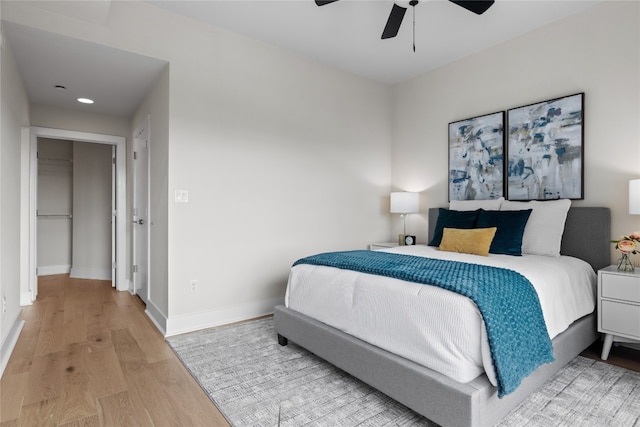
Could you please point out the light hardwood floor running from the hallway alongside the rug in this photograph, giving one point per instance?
(89, 356)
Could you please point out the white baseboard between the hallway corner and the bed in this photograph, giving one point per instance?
(222, 316)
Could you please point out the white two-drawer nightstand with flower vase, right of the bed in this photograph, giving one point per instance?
(618, 306)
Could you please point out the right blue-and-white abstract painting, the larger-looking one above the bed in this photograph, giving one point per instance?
(545, 150)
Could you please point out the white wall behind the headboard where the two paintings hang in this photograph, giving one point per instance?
(596, 51)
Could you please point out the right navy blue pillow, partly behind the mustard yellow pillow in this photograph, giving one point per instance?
(510, 224)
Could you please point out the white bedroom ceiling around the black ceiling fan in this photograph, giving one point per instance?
(346, 34)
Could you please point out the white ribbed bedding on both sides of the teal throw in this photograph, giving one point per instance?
(439, 329)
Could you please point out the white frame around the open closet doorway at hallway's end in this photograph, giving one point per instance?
(120, 189)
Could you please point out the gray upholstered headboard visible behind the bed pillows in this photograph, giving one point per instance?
(587, 234)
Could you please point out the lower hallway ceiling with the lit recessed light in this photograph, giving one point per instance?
(116, 80)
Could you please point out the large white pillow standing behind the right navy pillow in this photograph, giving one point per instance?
(543, 232)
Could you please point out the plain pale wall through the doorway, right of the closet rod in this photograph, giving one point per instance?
(92, 185)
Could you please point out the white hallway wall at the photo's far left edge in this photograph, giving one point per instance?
(14, 113)
